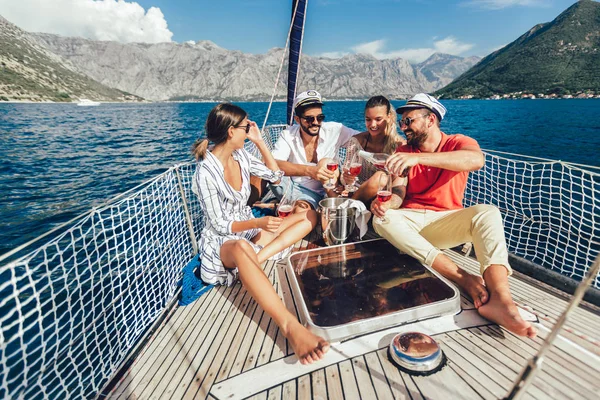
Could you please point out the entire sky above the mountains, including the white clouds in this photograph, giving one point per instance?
(411, 29)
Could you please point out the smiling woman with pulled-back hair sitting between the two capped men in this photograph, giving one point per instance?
(381, 136)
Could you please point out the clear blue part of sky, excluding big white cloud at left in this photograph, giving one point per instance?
(338, 26)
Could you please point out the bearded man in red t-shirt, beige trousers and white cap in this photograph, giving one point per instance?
(426, 213)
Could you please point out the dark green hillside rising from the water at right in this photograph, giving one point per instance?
(560, 57)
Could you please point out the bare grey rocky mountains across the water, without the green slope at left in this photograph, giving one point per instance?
(204, 71)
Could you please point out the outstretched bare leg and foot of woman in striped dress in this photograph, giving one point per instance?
(307, 346)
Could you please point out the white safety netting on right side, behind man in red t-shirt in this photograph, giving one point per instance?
(551, 210)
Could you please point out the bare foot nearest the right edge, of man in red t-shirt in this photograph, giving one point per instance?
(503, 311)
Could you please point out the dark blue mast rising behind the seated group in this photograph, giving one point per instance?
(296, 35)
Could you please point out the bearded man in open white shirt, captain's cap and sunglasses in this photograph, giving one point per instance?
(303, 150)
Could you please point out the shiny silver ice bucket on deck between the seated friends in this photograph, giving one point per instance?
(337, 223)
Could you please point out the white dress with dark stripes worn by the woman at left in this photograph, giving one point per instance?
(221, 206)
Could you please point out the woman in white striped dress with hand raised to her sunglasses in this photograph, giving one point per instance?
(233, 242)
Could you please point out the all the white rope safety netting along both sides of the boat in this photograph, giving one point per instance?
(74, 306)
